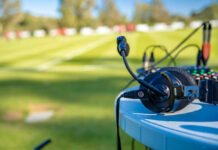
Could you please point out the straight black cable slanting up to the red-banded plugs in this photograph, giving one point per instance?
(172, 51)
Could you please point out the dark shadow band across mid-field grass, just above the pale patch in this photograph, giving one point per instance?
(87, 91)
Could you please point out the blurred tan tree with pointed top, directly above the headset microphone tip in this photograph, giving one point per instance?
(110, 15)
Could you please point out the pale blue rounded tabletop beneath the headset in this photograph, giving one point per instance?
(194, 127)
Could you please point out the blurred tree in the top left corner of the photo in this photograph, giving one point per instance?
(10, 13)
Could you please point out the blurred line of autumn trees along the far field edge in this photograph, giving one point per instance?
(77, 14)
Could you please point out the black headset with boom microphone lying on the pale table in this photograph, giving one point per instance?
(168, 89)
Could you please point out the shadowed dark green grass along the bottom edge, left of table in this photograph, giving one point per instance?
(71, 133)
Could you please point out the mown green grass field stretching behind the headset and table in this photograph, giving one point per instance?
(78, 77)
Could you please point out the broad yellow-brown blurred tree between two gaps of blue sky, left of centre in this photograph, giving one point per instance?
(76, 13)
